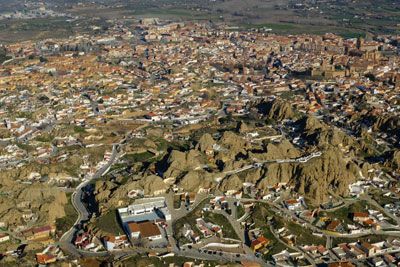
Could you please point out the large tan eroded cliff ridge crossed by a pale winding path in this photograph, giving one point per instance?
(314, 179)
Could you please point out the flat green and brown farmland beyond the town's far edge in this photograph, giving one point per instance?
(346, 18)
